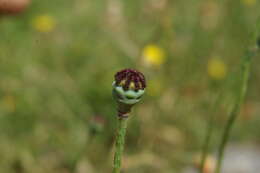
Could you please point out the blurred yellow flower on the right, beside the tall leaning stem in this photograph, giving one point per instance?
(217, 69)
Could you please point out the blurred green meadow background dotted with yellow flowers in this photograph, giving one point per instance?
(57, 61)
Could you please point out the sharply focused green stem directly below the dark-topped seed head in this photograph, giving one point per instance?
(120, 141)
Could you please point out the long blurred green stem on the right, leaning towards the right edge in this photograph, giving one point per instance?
(245, 72)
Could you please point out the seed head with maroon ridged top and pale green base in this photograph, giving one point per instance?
(128, 88)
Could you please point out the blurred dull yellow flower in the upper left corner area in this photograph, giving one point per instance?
(44, 23)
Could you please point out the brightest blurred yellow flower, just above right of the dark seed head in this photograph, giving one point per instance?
(153, 55)
